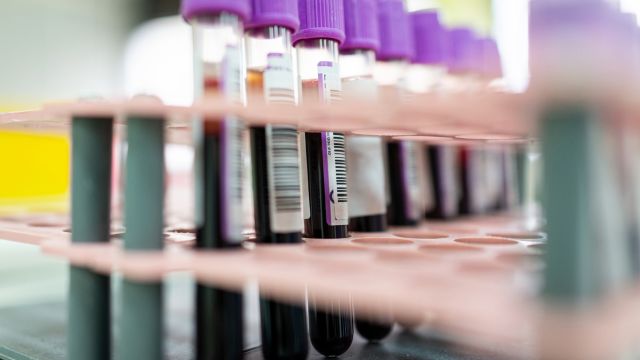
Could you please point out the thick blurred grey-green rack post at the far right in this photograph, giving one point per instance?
(566, 134)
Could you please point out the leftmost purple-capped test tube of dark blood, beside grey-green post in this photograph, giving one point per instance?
(219, 67)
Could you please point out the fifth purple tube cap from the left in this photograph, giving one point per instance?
(395, 31)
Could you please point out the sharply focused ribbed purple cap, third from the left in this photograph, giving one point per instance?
(320, 19)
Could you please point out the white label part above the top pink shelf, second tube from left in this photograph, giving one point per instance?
(279, 81)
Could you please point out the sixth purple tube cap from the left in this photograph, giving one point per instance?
(429, 38)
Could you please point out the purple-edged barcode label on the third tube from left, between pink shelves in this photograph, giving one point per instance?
(335, 178)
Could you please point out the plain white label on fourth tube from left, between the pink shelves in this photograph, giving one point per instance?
(366, 176)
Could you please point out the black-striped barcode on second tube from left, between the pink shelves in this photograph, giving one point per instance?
(286, 173)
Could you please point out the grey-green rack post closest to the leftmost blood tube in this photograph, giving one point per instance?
(139, 328)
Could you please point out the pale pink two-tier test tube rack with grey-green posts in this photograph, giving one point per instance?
(479, 278)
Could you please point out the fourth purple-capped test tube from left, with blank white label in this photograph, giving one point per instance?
(366, 176)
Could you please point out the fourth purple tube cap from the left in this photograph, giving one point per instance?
(361, 25)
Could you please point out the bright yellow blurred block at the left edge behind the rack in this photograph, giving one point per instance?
(35, 171)
